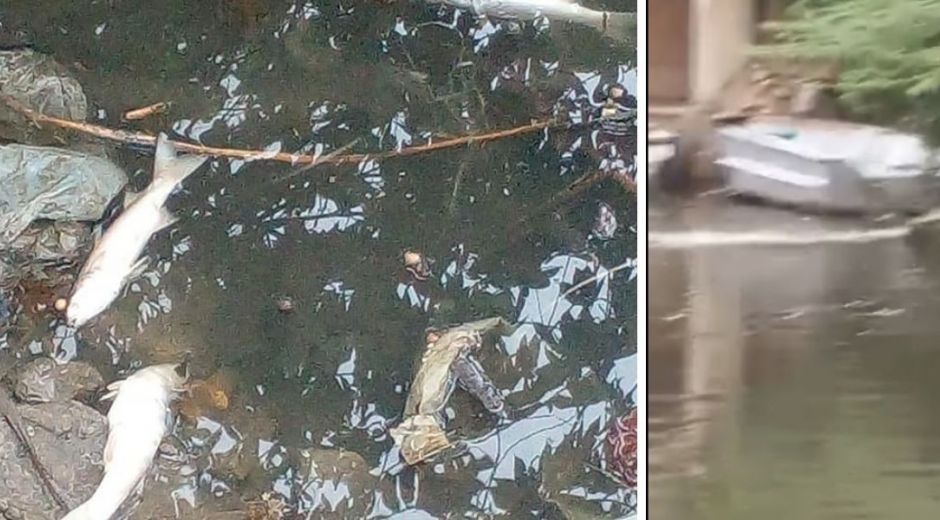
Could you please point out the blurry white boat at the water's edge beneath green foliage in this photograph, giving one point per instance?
(829, 165)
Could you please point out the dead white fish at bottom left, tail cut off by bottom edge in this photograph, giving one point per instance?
(137, 422)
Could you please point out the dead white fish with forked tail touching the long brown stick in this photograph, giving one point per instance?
(116, 255)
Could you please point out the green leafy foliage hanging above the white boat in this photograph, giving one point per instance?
(887, 51)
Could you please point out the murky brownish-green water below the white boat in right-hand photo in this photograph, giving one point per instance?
(791, 381)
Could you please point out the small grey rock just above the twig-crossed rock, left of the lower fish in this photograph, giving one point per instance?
(45, 381)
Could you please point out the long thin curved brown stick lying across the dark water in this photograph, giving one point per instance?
(148, 140)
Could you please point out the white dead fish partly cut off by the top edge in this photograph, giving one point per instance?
(617, 25)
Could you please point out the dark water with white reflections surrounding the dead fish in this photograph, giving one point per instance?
(333, 375)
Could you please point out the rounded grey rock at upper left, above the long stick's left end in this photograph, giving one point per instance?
(39, 82)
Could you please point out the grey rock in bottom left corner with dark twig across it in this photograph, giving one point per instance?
(69, 439)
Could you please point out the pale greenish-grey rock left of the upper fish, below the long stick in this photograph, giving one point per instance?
(52, 184)
